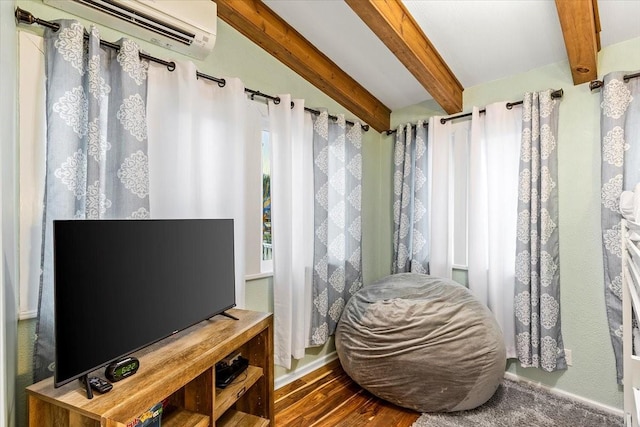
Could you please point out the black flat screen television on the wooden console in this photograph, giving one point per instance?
(121, 285)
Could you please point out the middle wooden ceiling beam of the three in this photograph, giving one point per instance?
(396, 28)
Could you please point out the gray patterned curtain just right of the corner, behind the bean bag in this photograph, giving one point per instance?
(410, 203)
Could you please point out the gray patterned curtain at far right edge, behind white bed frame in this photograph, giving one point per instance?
(620, 141)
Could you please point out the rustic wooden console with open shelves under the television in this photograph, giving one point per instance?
(181, 370)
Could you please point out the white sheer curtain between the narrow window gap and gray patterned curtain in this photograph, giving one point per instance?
(291, 131)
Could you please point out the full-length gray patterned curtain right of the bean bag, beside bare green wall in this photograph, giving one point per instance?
(537, 287)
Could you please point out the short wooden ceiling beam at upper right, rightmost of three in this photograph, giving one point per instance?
(580, 24)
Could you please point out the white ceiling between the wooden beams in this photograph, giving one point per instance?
(480, 40)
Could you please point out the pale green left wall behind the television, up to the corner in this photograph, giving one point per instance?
(236, 56)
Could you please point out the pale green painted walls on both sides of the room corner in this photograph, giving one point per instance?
(592, 375)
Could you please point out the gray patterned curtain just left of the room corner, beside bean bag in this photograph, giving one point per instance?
(337, 258)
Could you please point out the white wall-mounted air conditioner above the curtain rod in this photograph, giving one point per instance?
(185, 26)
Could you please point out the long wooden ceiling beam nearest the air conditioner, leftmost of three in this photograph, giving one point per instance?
(260, 24)
